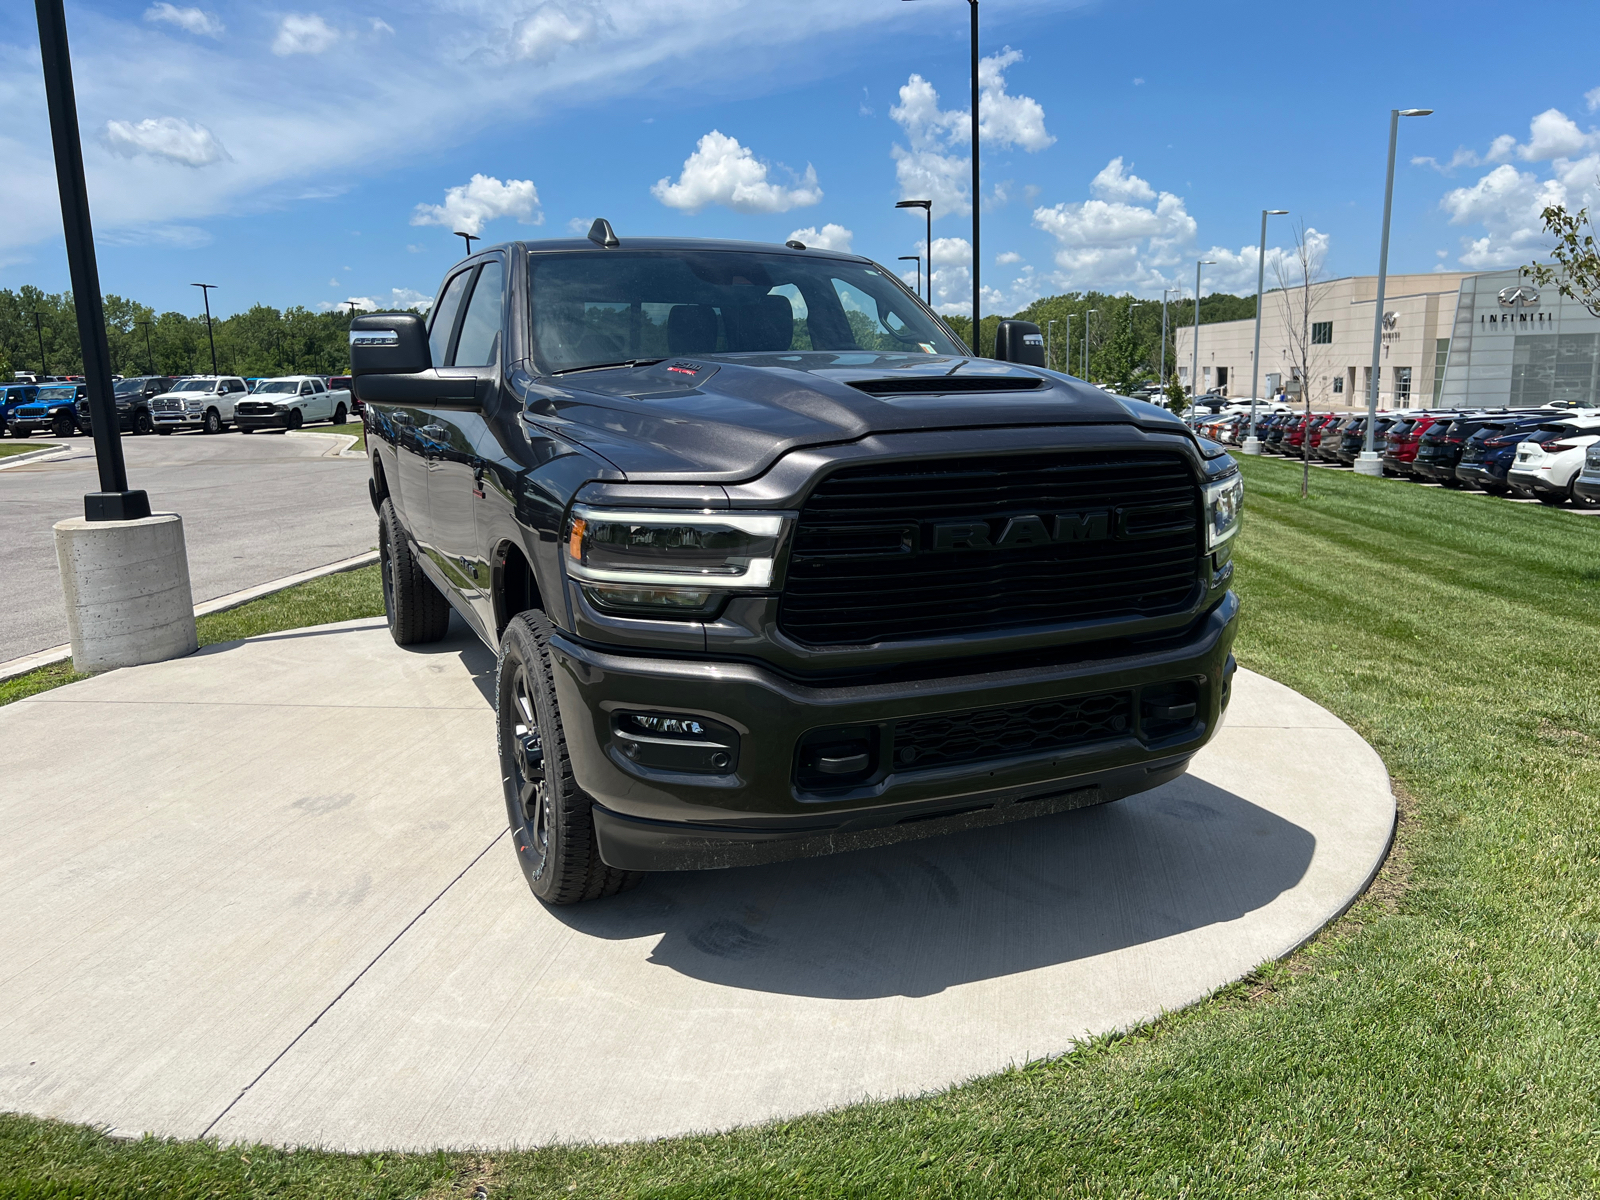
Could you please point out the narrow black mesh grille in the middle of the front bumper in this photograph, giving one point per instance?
(999, 734)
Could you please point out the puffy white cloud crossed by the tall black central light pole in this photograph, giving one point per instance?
(929, 169)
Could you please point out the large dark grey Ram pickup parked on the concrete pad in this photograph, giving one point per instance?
(775, 567)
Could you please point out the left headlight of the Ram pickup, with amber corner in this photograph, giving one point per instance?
(671, 562)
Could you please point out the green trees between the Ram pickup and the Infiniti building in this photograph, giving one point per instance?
(1124, 334)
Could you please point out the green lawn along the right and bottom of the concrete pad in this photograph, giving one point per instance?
(1442, 1041)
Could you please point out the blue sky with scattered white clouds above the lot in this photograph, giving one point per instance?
(327, 153)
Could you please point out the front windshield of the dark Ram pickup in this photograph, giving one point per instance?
(593, 310)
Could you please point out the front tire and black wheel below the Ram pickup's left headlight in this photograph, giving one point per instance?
(551, 818)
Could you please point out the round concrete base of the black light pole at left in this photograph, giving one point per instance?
(127, 590)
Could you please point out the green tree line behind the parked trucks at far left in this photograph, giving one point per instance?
(39, 332)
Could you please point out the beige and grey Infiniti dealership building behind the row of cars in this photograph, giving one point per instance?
(1449, 342)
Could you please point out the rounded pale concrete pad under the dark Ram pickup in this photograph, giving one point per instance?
(271, 898)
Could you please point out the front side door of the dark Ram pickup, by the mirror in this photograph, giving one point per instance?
(455, 482)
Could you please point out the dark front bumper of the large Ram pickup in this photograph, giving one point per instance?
(761, 812)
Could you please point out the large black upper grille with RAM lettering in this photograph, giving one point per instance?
(870, 561)
